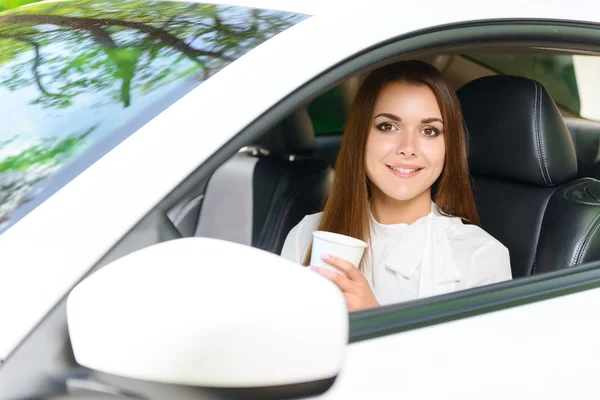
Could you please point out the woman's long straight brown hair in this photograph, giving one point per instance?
(347, 208)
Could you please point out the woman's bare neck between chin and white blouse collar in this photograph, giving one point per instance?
(388, 211)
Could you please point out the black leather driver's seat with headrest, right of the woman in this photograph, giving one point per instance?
(524, 167)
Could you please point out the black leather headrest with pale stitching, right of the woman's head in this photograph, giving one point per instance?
(517, 131)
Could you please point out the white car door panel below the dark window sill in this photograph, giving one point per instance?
(539, 350)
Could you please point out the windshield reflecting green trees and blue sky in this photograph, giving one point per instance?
(74, 74)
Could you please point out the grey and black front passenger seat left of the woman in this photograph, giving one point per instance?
(261, 193)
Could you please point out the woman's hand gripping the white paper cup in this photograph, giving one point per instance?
(355, 287)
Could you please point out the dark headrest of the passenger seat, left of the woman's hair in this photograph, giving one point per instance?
(292, 135)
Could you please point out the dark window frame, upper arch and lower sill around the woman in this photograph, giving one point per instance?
(388, 320)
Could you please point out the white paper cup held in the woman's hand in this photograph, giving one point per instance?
(342, 246)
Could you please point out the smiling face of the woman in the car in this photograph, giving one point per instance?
(405, 148)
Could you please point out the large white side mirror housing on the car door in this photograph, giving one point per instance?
(208, 313)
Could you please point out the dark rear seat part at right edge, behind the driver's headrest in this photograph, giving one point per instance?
(586, 138)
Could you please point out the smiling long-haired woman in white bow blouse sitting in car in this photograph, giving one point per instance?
(402, 185)
